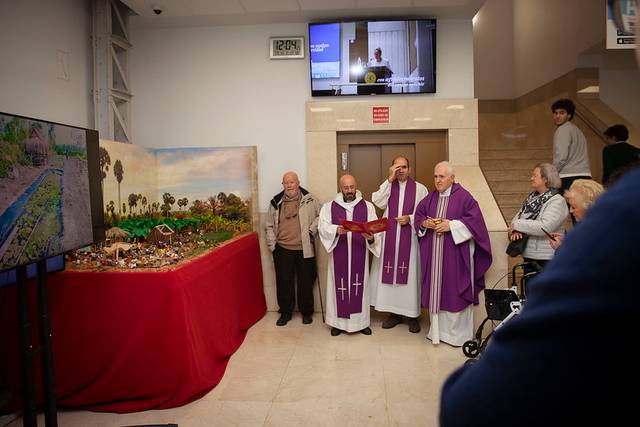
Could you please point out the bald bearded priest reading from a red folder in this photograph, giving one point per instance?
(348, 265)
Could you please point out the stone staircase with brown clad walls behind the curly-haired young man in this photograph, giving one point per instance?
(515, 135)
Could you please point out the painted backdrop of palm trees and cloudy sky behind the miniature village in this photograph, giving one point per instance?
(203, 187)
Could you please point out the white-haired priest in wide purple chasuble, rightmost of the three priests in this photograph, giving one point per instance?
(455, 254)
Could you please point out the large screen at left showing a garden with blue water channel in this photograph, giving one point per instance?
(50, 194)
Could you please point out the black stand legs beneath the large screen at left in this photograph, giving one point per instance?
(27, 352)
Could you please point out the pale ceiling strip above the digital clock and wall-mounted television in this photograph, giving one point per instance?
(185, 13)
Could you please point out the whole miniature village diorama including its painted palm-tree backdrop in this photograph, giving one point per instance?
(170, 204)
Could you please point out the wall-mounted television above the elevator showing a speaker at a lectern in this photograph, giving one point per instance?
(373, 57)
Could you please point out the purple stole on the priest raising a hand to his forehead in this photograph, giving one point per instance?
(404, 248)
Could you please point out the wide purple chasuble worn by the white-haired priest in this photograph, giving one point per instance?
(456, 292)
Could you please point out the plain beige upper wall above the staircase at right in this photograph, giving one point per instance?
(520, 45)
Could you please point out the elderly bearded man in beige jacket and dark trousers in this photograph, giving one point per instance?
(291, 227)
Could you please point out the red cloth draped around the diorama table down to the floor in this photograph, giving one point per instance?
(132, 341)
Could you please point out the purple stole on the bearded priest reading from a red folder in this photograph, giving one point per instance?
(351, 302)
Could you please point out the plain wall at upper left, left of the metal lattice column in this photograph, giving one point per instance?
(31, 33)
